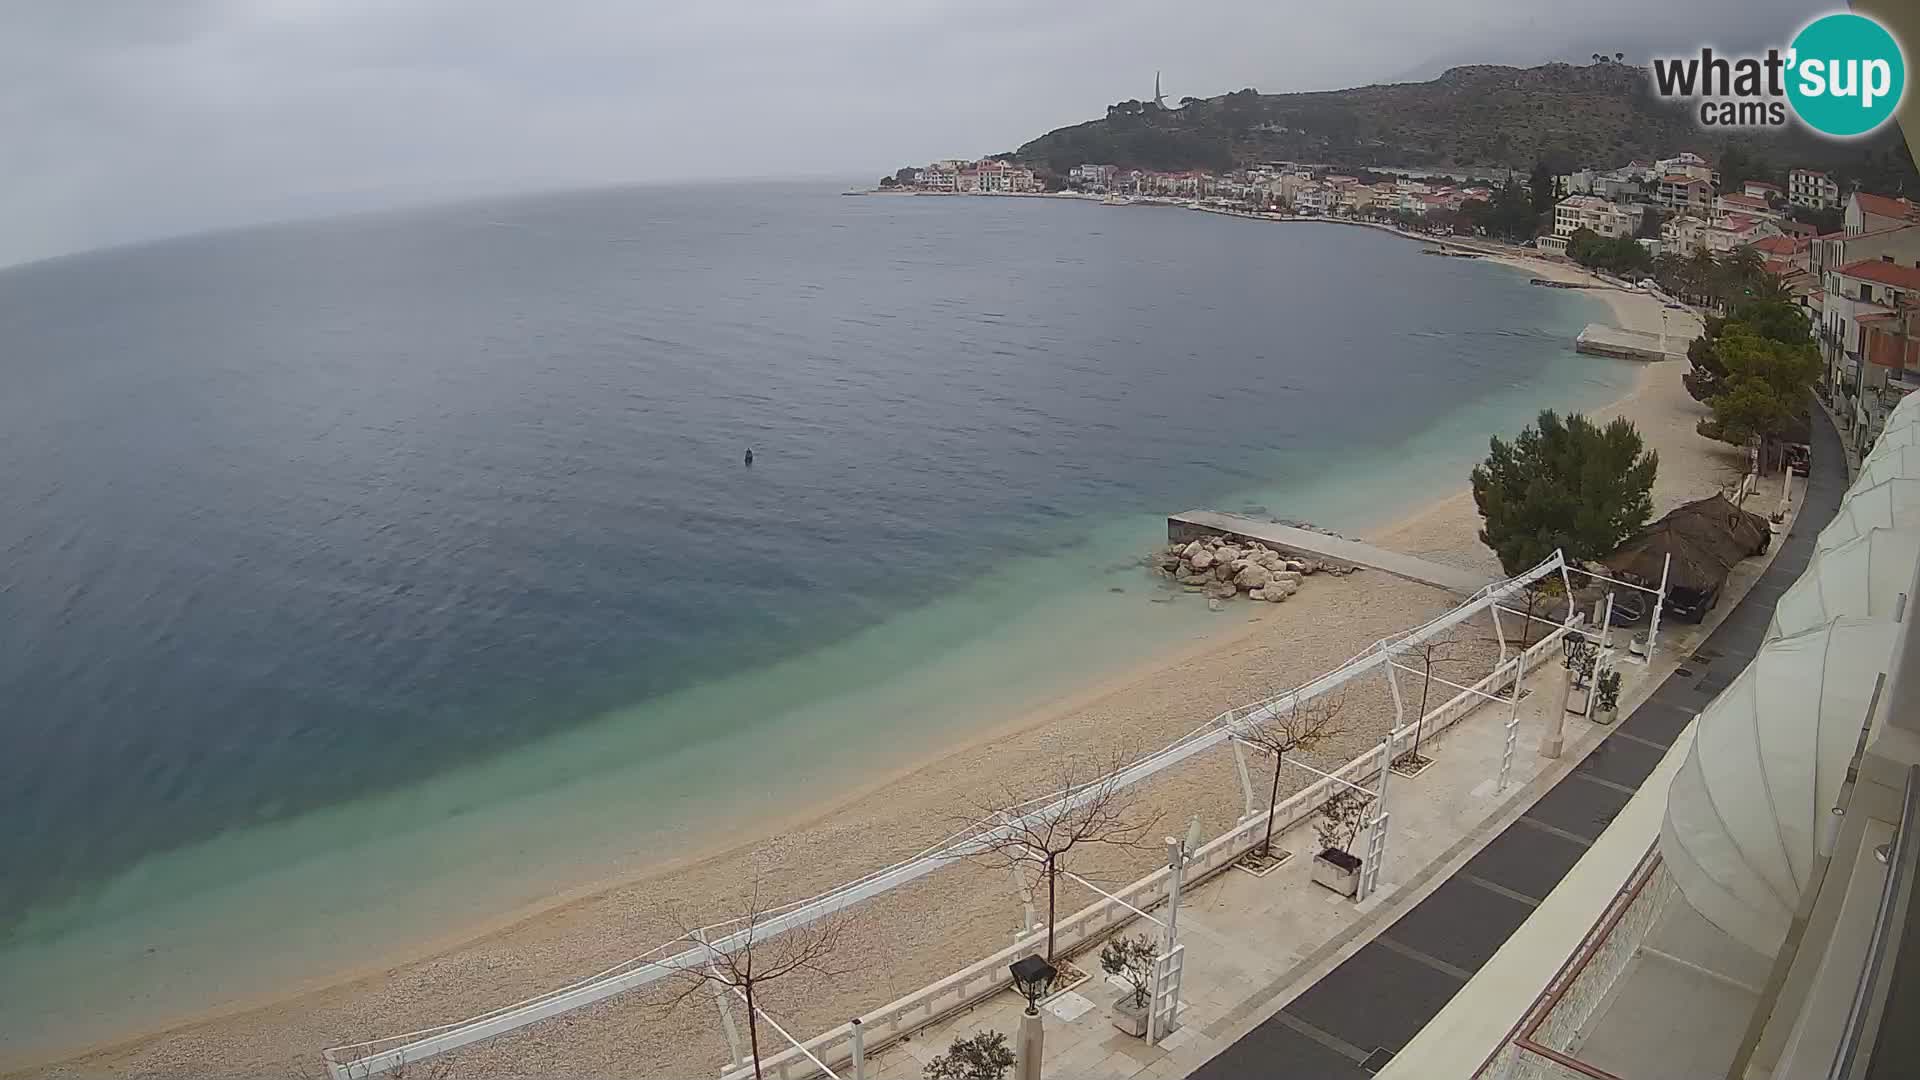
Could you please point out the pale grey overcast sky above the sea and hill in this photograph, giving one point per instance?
(126, 120)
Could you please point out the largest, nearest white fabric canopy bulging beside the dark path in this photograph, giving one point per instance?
(1767, 766)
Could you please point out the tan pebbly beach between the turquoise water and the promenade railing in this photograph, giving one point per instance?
(951, 918)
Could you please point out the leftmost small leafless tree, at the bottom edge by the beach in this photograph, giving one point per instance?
(761, 958)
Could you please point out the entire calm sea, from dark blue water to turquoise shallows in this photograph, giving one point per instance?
(366, 576)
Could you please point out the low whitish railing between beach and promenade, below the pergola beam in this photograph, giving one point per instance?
(1078, 931)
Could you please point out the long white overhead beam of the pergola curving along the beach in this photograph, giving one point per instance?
(360, 1062)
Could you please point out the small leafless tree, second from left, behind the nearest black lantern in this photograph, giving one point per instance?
(1088, 806)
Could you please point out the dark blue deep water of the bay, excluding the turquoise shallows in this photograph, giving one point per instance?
(302, 514)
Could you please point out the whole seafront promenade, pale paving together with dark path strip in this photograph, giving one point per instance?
(1287, 979)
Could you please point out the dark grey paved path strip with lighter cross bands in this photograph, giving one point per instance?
(1353, 1021)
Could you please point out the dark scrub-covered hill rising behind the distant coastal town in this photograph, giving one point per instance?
(1562, 114)
